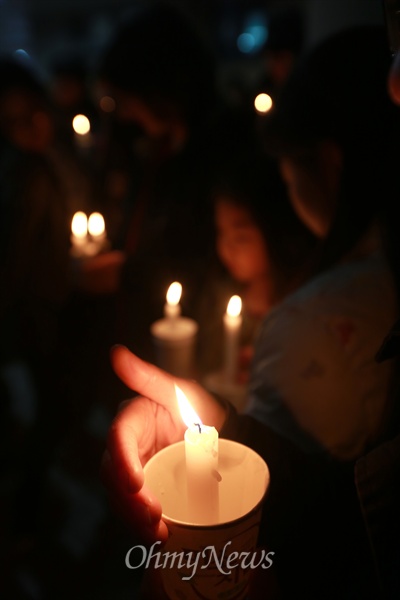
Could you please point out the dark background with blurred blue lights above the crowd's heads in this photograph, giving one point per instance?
(51, 29)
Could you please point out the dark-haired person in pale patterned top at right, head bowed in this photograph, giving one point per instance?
(326, 391)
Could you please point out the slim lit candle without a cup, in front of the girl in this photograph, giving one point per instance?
(232, 326)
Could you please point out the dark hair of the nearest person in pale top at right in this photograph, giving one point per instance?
(338, 92)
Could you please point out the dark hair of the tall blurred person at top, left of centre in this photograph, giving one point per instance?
(158, 55)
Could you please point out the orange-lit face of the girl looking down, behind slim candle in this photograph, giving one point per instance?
(240, 244)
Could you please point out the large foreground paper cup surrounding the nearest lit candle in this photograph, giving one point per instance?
(212, 561)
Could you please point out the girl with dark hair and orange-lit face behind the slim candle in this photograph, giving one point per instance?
(263, 249)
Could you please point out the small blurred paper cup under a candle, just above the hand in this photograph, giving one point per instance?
(174, 343)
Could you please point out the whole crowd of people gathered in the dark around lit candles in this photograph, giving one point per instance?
(295, 210)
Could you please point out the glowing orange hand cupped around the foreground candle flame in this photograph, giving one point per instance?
(142, 427)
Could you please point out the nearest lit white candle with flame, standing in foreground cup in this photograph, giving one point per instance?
(201, 455)
